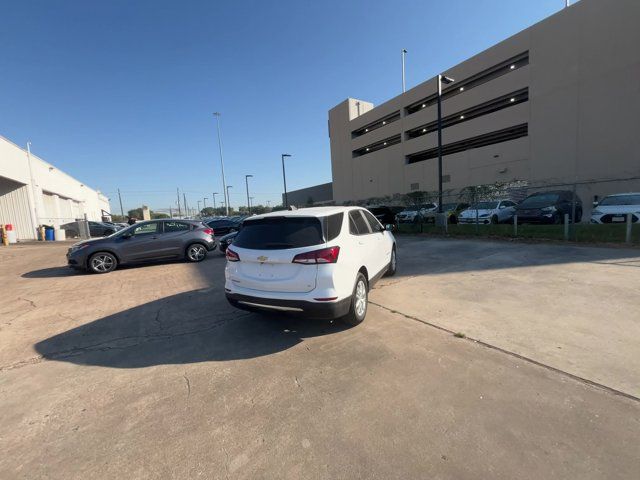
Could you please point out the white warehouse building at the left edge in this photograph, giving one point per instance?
(34, 192)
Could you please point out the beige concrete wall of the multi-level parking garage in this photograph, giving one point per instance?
(584, 98)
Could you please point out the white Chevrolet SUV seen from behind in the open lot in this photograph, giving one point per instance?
(319, 262)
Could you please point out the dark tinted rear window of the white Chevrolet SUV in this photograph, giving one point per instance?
(275, 233)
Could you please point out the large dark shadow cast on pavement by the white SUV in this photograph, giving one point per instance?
(195, 326)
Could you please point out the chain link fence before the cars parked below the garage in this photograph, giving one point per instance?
(600, 211)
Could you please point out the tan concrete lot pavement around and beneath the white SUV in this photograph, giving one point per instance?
(147, 372)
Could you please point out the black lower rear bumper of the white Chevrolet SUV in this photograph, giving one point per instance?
(319, 310)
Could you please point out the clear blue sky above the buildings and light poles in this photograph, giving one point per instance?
(120, 93)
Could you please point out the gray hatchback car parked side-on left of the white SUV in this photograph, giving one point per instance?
(144, 241)
